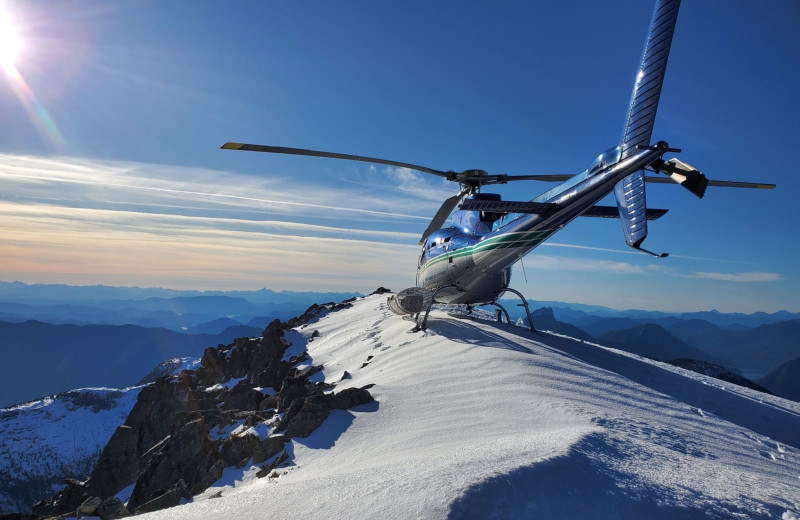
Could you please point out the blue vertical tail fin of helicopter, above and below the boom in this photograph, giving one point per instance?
(630, 192)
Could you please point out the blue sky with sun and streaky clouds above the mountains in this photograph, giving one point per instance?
(113, 114)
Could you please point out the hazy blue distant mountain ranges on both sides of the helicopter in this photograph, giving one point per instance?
(114, 335)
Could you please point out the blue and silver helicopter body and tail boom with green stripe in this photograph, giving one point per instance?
(469, 261)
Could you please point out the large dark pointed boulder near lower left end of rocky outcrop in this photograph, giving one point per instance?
(188, 457)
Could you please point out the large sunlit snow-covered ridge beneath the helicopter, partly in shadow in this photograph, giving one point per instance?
(476, 419)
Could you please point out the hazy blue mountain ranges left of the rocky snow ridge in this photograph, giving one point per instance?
(74, 337)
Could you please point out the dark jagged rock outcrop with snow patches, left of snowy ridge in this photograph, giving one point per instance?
(185, 429)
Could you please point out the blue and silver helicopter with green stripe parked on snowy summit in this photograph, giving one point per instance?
(475, 238)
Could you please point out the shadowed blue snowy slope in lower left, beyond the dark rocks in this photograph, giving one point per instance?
(43, 442)
